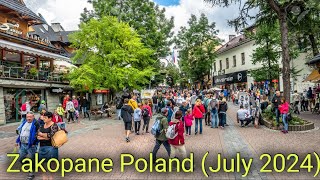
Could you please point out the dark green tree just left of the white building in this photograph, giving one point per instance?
(196, 45)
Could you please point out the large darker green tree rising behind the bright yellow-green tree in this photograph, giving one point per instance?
(144, 16)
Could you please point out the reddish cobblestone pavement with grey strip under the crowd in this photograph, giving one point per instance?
(105, 139)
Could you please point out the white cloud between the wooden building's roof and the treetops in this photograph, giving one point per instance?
(66, 12)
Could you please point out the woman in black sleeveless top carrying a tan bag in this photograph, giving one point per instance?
(46, 132)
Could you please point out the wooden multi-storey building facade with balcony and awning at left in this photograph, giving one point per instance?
(27, 63)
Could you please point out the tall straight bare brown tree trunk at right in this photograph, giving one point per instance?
(285, 55)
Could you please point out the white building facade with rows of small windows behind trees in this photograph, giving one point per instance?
(232, 67)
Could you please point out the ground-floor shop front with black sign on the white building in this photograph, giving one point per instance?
(233, 81)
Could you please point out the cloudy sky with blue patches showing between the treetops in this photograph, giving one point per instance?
(67, 12)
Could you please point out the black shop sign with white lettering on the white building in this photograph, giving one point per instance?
(236, 77)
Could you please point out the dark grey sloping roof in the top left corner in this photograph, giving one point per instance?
(22, 9)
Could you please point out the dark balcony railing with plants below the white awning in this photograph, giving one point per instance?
(21, 73)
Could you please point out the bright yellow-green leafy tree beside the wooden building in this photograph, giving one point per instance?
(113, 56)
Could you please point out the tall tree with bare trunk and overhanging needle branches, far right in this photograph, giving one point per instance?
(277, 9)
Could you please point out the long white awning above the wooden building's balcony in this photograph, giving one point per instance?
(30, 50)
